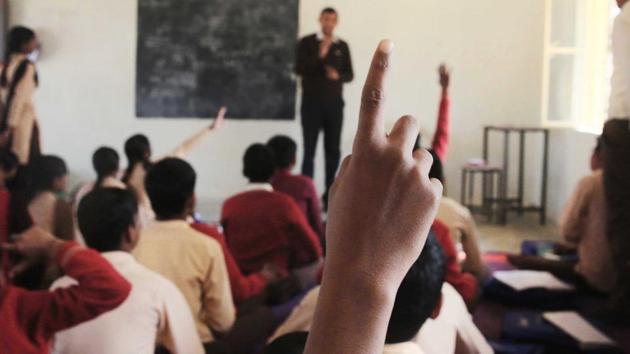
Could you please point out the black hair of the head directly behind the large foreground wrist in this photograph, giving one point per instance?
(418, 295)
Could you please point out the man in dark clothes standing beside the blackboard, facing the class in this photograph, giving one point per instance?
(323, 62)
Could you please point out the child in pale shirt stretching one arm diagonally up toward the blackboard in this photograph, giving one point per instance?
(138, 151)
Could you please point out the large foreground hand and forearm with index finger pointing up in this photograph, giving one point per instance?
(381, 210)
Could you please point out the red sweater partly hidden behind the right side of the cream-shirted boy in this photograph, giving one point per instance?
(243, 286)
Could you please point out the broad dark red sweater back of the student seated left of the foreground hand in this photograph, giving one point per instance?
(268, 227)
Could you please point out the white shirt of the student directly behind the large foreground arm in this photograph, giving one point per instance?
(437, 336)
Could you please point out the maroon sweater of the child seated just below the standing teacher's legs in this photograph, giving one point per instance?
(302, 190)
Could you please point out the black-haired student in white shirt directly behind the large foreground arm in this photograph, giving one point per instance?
(423, 320)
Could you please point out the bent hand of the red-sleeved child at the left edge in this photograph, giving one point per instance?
(36, 246)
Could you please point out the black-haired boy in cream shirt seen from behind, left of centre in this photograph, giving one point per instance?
(191, 260)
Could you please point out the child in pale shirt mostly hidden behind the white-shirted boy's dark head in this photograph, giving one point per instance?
(106, 163)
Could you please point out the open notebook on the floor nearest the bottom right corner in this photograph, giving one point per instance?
(588, 337)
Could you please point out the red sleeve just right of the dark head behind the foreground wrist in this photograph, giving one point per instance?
(464, 283)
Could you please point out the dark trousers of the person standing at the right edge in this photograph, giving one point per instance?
(616, 154)
